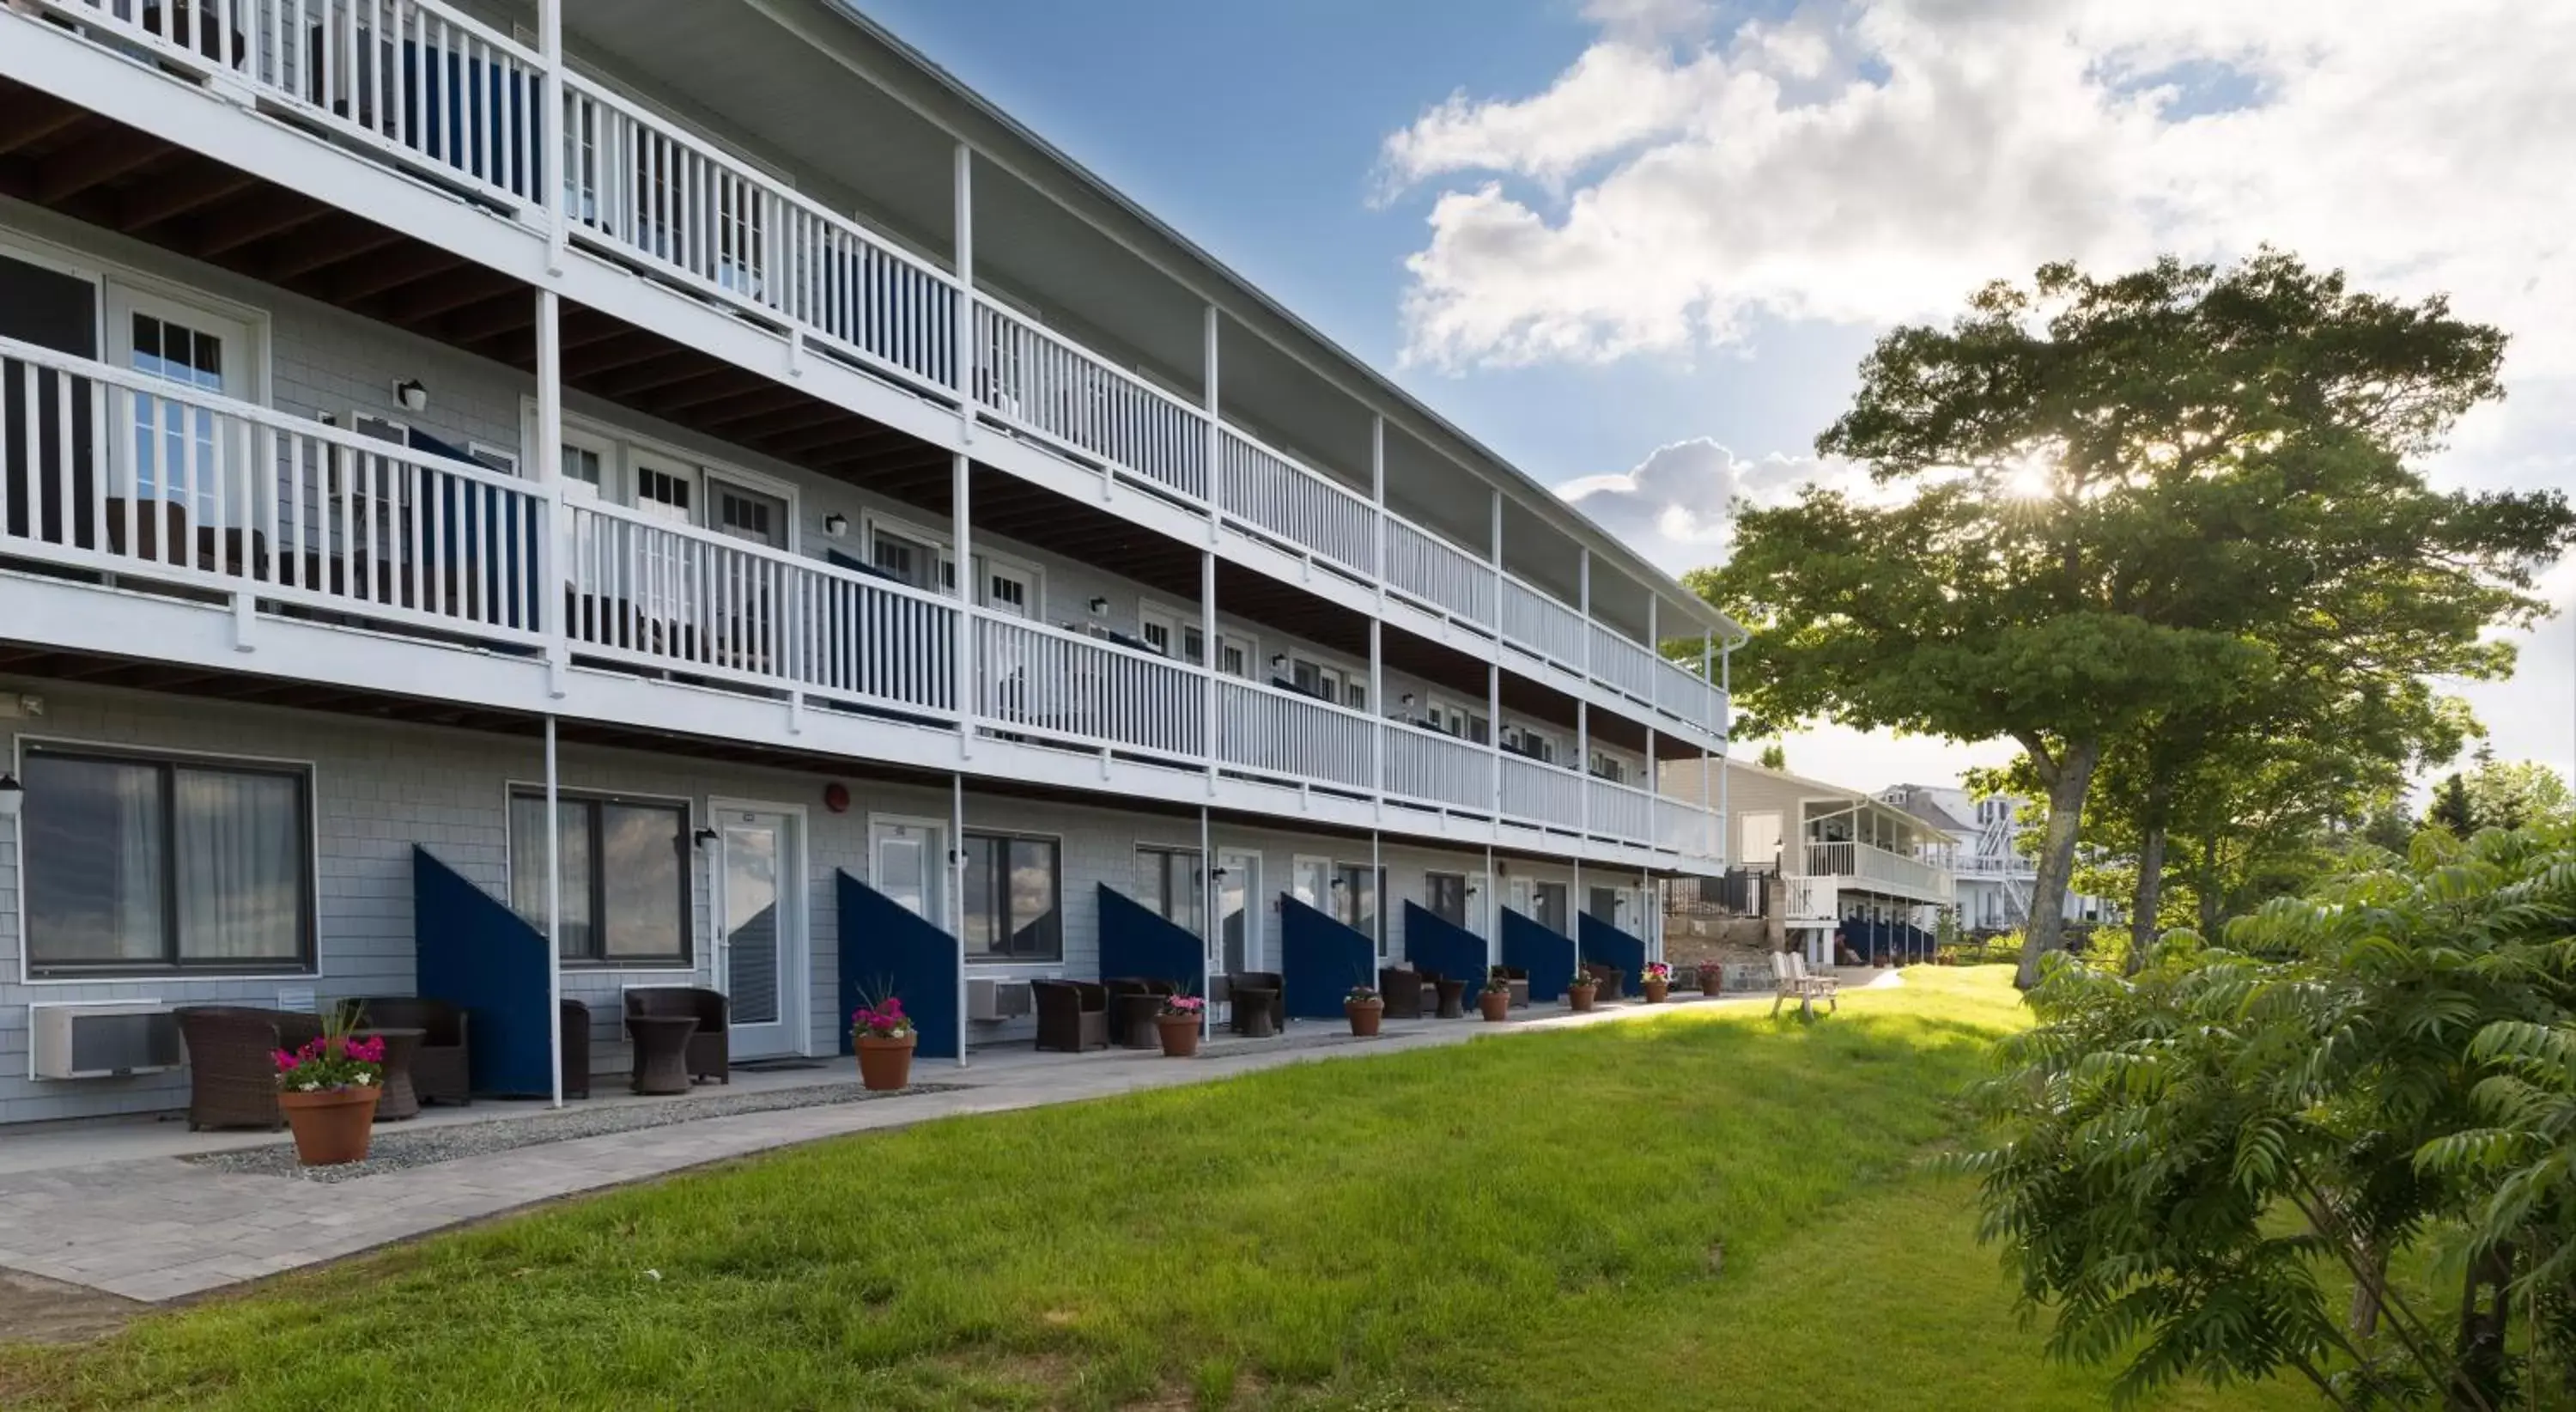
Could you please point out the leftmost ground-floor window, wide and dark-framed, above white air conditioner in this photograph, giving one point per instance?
(140, 864)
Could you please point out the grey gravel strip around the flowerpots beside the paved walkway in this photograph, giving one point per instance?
(398, 1150)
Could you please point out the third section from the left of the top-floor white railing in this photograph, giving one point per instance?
(1055, 388)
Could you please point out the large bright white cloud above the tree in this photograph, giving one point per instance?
(1871, 161)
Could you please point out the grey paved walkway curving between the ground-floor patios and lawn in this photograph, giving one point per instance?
(112, 1207)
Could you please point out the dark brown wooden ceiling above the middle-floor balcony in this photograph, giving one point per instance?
(107, 174)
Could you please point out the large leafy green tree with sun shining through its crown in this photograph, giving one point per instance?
(2103, 504)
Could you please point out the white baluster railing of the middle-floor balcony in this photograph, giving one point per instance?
(171, 488)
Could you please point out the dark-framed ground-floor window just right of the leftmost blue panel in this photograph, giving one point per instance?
(625, 867)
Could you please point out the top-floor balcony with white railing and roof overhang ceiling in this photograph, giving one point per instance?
(990, 285)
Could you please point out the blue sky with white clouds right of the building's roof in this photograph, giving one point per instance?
(1653, 238)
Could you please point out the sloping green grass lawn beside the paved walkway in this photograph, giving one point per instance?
(1709, 1210)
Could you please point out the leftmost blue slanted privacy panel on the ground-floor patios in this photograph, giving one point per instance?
(486, 960)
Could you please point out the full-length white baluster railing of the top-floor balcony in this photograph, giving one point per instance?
(434, 91)
